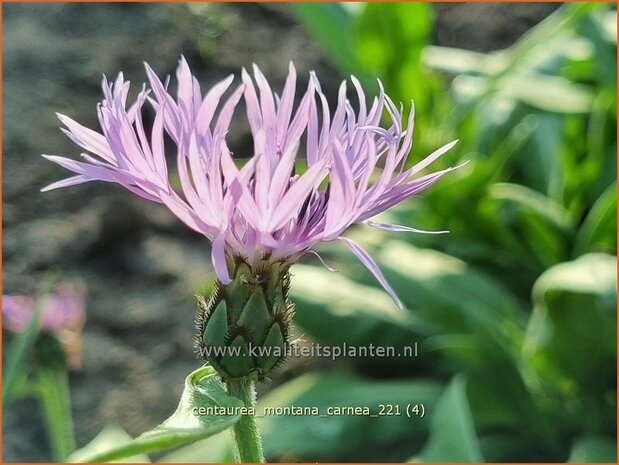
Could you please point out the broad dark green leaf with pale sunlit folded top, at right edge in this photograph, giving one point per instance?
(570, 345)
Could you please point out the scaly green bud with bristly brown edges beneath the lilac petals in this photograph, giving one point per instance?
(243, 328)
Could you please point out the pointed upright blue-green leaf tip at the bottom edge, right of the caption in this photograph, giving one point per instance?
(452, 434)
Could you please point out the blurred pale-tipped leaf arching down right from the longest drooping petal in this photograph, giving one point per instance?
(477, 325)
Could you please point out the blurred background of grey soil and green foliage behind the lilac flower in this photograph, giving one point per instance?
(514, 311)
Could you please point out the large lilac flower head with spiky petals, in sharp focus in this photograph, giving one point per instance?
(267, 208)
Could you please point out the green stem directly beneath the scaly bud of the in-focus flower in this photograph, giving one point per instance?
(245, 432)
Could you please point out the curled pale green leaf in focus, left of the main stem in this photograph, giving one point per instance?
(202, 390)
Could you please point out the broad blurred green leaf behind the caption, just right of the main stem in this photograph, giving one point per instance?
(350, 436)
